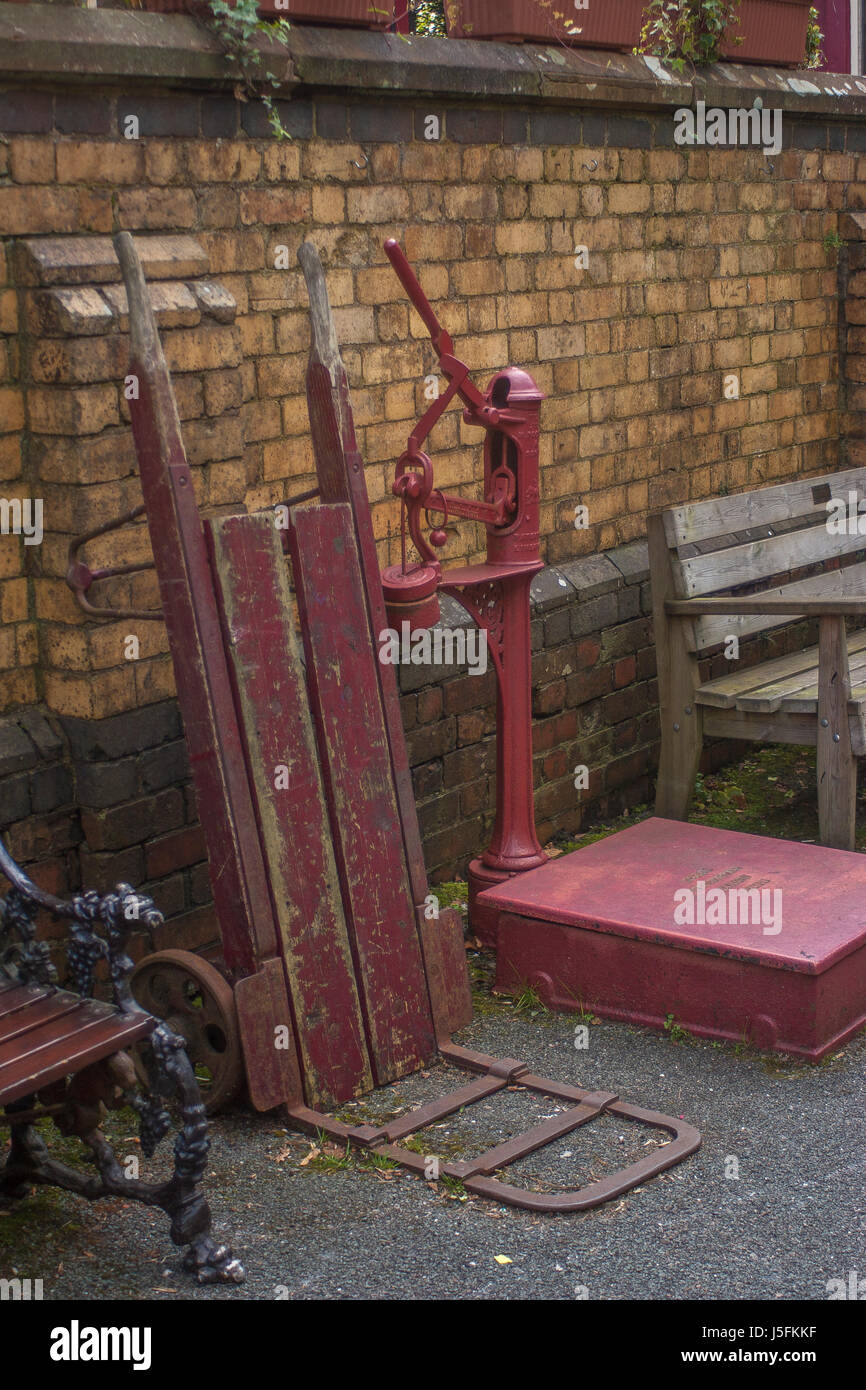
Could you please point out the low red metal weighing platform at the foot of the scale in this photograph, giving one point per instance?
(603, 929)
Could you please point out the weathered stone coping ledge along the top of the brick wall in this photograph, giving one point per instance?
(106, 45)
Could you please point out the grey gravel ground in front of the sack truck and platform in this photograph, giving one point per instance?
(794, 1220)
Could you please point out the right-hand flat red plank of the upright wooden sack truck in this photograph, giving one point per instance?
(354, 747)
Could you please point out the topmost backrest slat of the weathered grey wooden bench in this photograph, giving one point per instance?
(696, 522)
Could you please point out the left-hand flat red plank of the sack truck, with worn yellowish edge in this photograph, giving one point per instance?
(254, 587)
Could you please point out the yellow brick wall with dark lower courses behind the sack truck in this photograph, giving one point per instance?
(703, 263)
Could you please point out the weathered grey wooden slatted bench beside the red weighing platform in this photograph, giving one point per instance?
(736, 566)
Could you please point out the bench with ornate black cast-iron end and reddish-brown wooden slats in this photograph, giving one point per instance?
(63, 1056)
